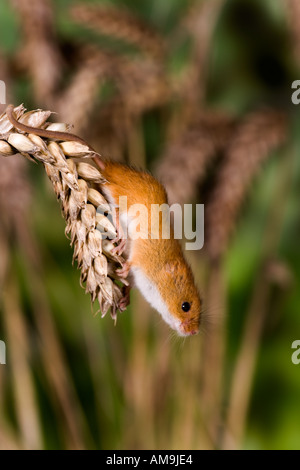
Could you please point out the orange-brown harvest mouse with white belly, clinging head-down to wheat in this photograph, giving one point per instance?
(156, 267)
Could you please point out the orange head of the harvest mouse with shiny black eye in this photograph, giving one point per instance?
(182, 298)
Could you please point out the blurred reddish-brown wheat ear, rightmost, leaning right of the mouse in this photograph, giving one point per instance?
(256, 137)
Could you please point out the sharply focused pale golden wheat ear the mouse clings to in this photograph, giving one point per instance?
(74, 182)
